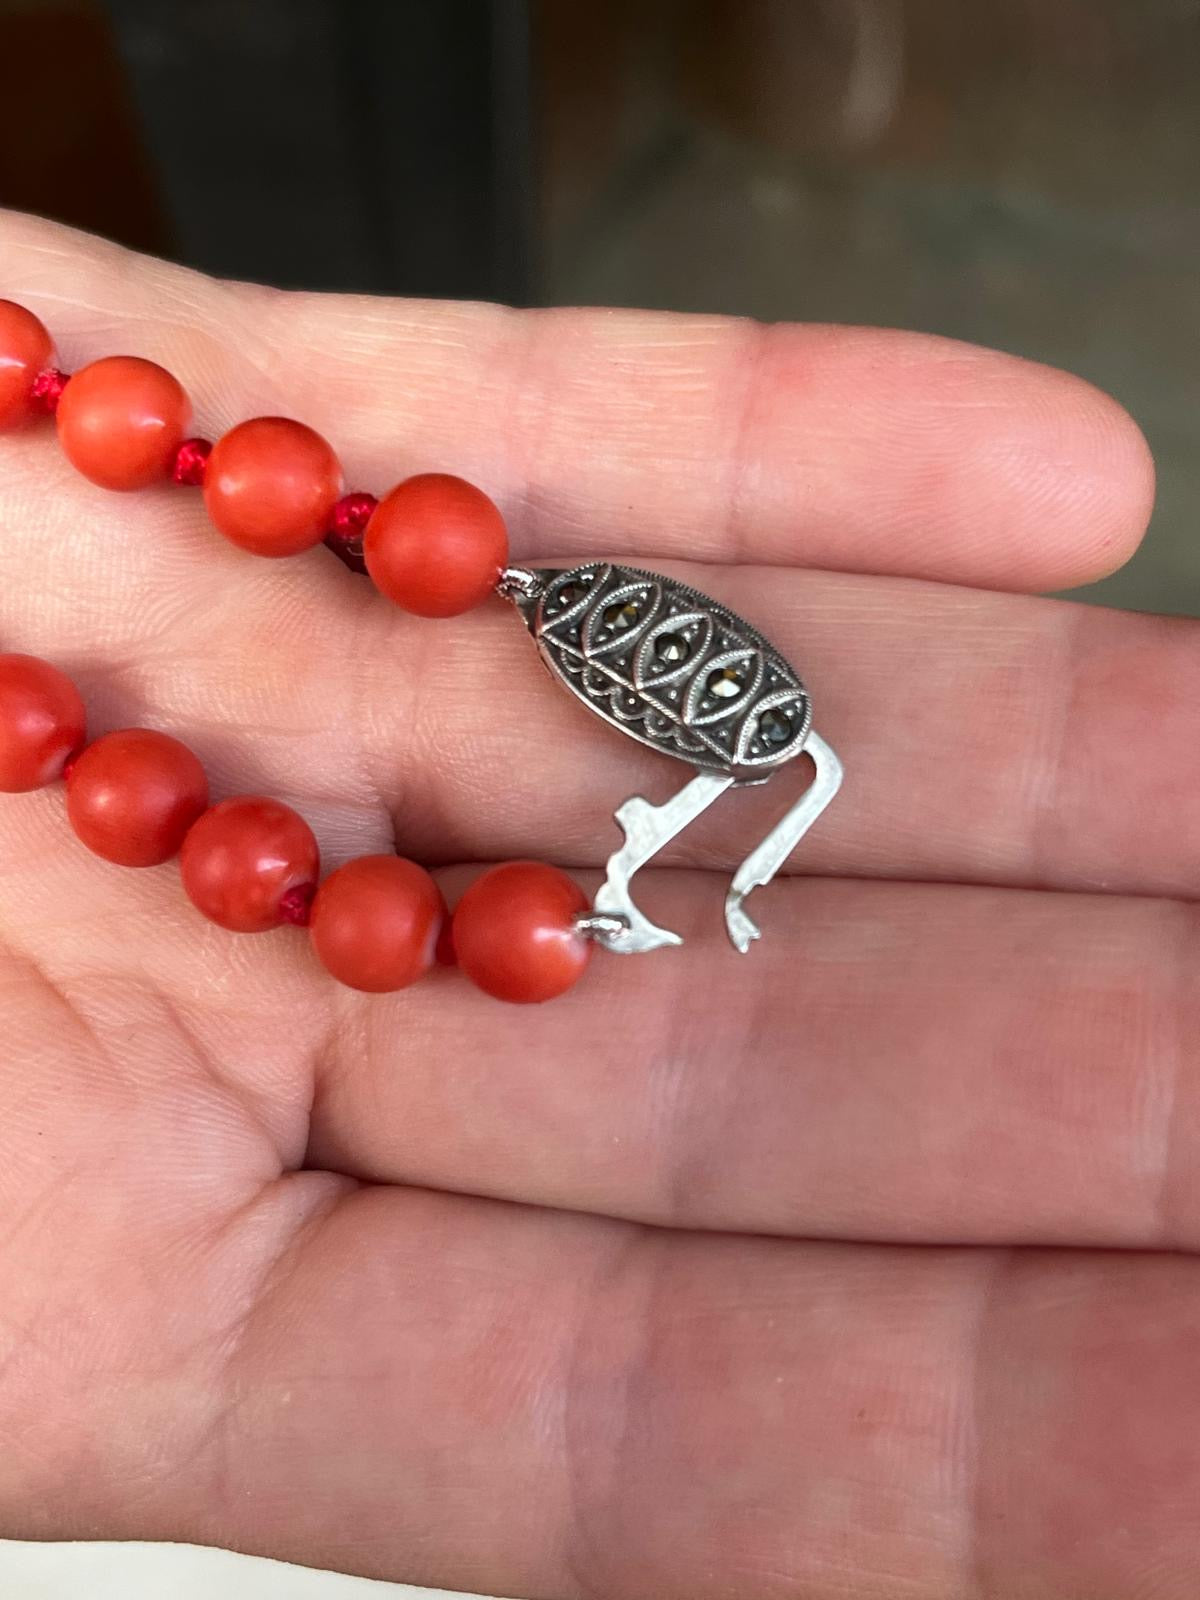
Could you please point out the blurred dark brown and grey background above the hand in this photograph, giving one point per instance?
(1023, 174)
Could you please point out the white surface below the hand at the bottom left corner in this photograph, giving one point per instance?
(148, 1572)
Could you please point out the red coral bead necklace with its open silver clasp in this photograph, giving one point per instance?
(660, 662)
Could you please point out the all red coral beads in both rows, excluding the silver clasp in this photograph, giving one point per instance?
(434, 545)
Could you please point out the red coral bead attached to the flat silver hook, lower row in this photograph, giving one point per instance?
(516, 932)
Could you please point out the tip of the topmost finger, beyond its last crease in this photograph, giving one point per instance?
(903, 454)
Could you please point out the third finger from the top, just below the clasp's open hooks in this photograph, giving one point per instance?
(894, 1062)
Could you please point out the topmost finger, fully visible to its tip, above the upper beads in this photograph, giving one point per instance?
(698, 438)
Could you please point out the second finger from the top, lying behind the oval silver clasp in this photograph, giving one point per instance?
(985, 740)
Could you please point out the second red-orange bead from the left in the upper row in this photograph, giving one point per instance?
(122, 420)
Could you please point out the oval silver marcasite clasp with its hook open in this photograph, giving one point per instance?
(681, 673)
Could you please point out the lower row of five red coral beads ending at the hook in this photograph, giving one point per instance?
(140, 798)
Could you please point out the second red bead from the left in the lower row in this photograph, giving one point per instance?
(134, 796)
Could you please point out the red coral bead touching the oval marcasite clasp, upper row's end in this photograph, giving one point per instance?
(436, 545)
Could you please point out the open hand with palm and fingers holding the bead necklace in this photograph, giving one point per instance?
(862, 1268)
